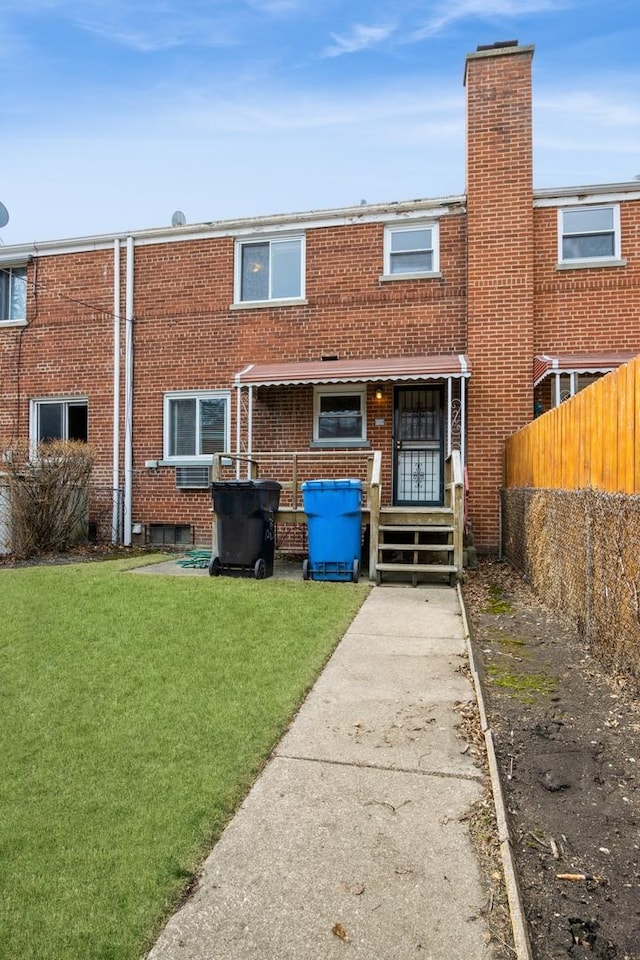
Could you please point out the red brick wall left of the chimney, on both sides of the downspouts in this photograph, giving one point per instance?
(187, 337)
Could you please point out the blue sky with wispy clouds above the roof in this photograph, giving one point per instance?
(115, 113)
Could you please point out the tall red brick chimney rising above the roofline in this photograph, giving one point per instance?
(499, 268)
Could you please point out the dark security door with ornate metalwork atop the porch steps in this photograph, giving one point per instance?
(418, 446)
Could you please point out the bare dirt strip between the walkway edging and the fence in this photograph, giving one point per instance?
(567, 740)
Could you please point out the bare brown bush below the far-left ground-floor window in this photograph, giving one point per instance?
(48, 496)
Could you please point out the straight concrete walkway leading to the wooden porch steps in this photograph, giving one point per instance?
(351, 842)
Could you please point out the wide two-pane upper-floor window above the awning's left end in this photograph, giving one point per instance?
(269, 270)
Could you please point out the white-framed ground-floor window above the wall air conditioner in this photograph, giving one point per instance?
(196, 425)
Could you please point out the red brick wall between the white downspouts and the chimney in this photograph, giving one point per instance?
(192, 339)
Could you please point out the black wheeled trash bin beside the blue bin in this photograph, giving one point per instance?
(245, 525)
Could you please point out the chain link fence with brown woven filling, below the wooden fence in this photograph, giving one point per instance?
(580, 551)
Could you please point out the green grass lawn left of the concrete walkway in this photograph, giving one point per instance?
(135, 711)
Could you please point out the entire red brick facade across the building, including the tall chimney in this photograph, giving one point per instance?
(500, 299)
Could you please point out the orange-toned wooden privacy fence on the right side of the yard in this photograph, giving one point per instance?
(590, 441)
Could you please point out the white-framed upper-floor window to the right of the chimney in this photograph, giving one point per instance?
(589, 233)
